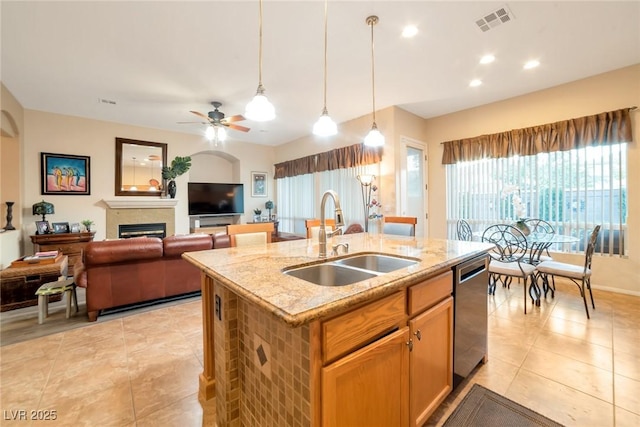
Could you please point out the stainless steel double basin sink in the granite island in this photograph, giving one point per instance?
(345, 271)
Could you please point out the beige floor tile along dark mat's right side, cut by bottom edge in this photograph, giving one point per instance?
(559, 402)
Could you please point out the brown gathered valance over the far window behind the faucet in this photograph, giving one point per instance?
(339, 158)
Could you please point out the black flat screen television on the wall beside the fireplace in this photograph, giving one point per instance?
(206, 198)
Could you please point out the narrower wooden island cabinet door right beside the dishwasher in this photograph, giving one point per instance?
(431, 360)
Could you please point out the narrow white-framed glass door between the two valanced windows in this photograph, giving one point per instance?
(413, 187)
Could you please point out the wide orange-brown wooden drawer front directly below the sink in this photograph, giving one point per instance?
(352, 330)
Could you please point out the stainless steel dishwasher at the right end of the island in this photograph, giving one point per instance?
(470, 316)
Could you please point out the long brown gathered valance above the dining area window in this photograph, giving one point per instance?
(600, 129)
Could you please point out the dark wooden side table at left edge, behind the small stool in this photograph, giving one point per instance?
(18, 285)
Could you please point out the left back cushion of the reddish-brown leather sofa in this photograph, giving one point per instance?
(123, 250)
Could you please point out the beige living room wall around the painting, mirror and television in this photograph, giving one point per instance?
(47, 132)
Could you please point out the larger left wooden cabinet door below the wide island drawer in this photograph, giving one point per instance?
(370, 386)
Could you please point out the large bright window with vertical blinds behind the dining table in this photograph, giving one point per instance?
(573, 190)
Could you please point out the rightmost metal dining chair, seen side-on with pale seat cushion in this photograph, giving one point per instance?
(579, 275)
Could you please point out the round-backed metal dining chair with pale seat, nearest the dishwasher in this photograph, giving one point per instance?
(508, 260)
